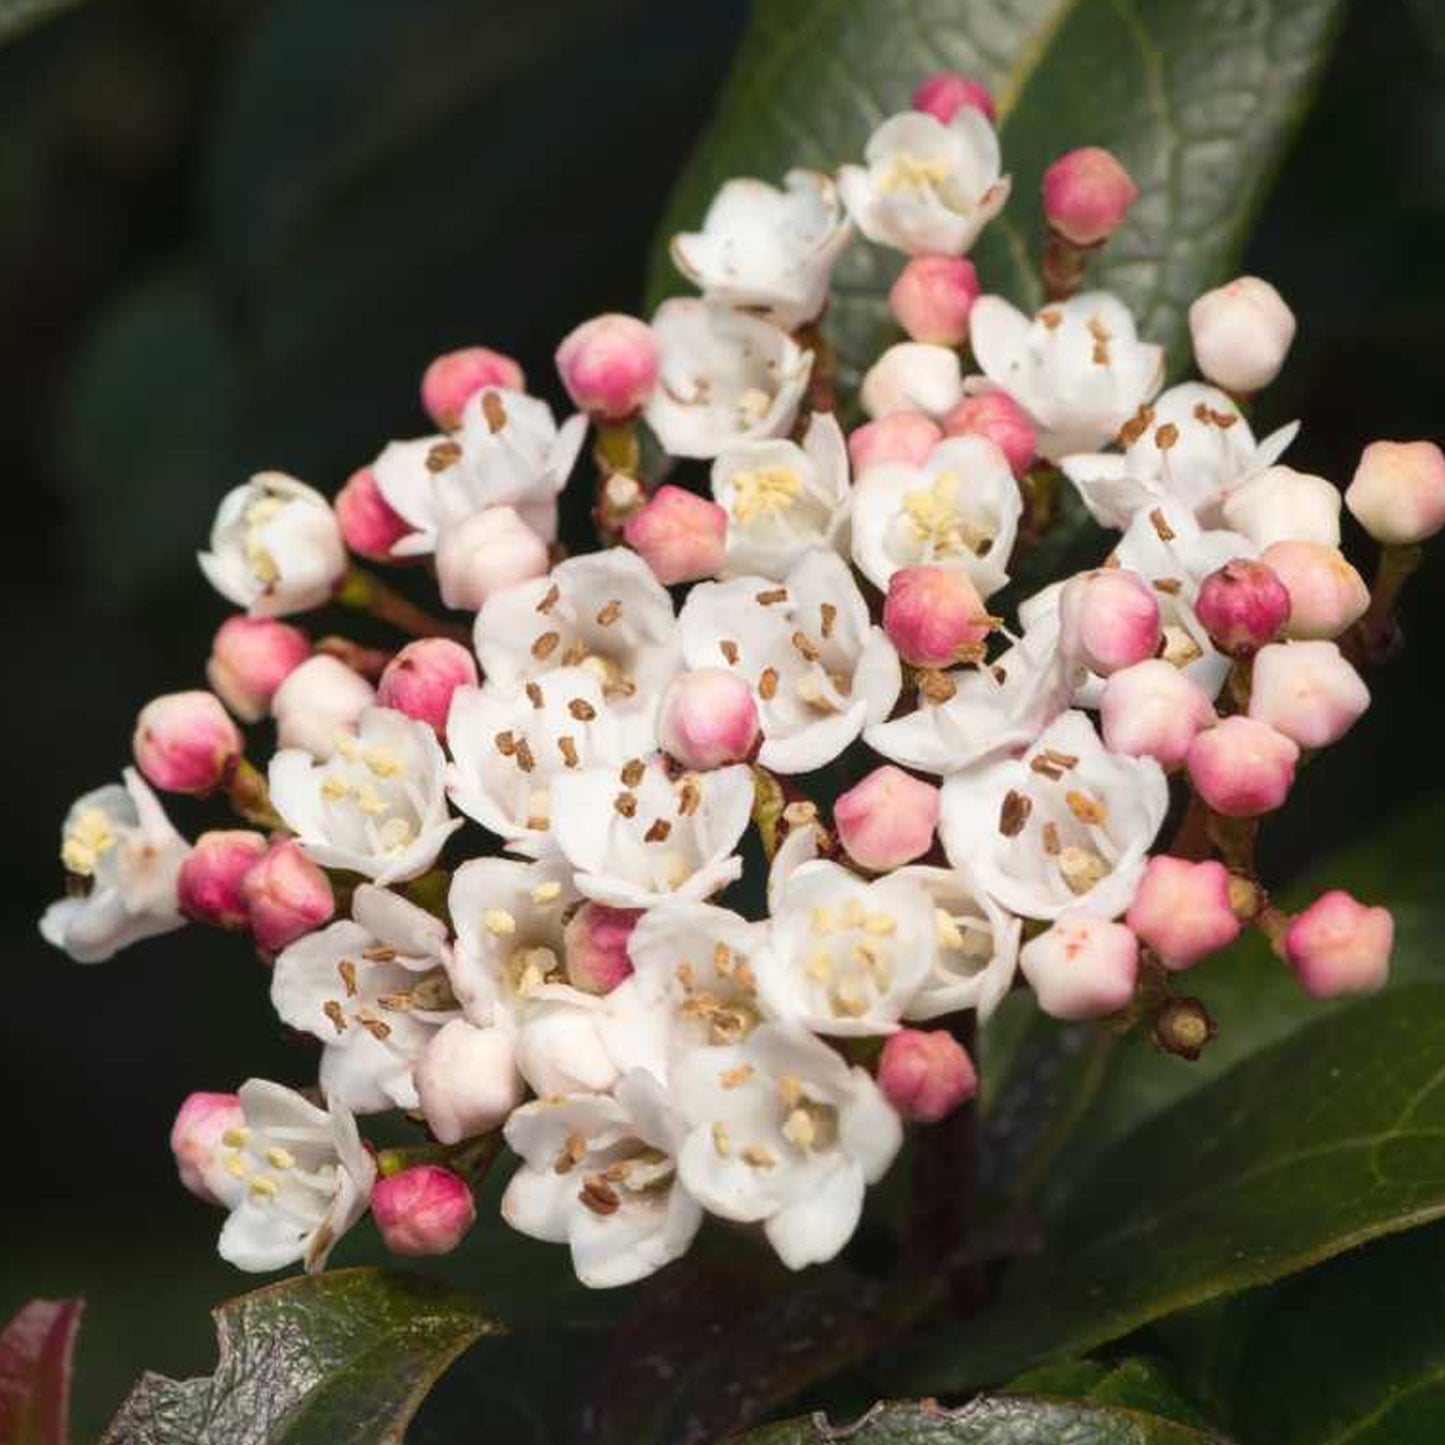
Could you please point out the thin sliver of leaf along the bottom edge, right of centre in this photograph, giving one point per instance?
(1005, 1421)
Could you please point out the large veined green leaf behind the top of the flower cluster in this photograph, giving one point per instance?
(1200, 108)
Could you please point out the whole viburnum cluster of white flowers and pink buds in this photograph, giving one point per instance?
(498, 871)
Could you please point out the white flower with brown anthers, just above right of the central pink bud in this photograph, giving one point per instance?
(820, 671)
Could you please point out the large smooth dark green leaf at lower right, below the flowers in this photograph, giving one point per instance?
(1317, 1145)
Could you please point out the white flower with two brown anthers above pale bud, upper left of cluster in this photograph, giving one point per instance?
(509, 453)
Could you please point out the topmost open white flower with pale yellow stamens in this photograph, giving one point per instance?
(927, 189)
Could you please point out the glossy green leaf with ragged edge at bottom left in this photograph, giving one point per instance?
(337, 1359)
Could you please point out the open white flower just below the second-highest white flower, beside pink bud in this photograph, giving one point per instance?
(726, 378)
